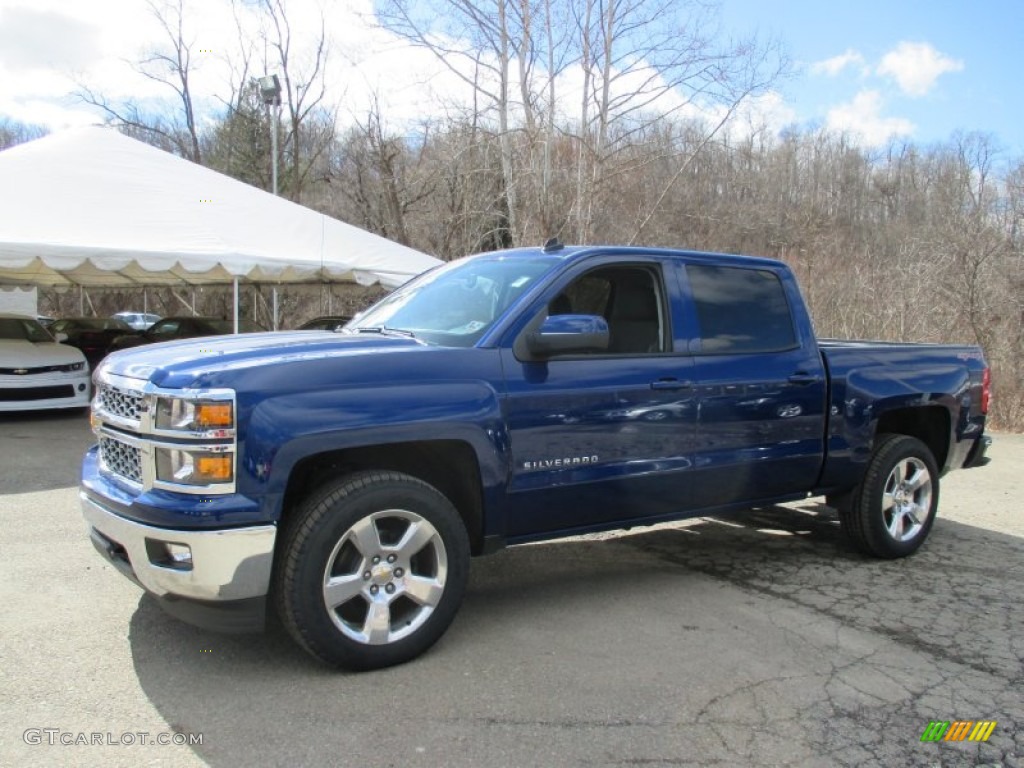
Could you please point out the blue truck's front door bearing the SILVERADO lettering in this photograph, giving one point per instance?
(605, 438)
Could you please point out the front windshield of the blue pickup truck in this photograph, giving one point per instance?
(455, 305)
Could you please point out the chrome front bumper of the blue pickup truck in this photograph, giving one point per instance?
(232, 565)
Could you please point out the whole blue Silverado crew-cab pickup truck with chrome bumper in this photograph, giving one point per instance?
(346, 479)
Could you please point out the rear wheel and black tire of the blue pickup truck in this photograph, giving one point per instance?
(892, 511)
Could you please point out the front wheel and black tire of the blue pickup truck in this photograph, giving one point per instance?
(352, 611)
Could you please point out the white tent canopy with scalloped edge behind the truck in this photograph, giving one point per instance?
(93, 207)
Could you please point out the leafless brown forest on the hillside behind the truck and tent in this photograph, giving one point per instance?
(906, 242)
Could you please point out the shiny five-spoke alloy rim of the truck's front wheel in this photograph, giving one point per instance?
(386, 577)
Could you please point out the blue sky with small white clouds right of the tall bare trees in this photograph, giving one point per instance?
(978, 52)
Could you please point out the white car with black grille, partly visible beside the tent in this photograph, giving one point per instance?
(36, 372)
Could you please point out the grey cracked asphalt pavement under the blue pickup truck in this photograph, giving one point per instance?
(757, 639)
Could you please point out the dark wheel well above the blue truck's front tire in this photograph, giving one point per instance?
(450, 466)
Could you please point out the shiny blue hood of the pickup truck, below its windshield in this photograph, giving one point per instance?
(194, 363)
